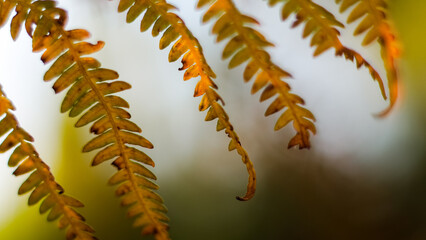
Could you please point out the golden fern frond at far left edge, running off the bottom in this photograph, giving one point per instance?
(41, 182)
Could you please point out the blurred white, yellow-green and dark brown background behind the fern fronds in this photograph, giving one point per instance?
(364, 177)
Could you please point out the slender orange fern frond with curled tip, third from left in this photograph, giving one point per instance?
(157, 14)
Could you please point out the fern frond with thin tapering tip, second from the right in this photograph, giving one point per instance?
(322, 25)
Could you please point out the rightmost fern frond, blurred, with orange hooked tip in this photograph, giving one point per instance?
(375, 19)
